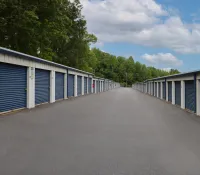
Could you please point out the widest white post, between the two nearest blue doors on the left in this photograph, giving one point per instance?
(30, 87)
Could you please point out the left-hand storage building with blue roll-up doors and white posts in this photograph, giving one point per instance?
(27, 81)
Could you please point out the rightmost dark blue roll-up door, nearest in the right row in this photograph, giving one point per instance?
(190, 95)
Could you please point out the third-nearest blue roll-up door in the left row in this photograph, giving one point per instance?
(59, 86)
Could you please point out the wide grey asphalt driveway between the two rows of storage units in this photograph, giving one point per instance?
(120, 132)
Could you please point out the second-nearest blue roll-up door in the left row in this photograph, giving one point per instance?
(42, 86)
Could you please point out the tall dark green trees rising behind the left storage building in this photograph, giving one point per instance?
(51, 29)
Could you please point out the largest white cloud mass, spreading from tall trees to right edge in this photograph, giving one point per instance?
(143, 22)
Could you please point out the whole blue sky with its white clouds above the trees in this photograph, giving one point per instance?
(160, 33)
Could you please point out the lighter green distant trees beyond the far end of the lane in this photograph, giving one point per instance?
(123, 69)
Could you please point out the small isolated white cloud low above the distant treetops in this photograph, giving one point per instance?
(166, 59)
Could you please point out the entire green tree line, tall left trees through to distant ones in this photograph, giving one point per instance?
(56, 30)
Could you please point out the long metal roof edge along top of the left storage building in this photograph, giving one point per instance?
(37, 59)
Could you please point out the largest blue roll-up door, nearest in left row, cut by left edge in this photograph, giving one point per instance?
(13, 84)
